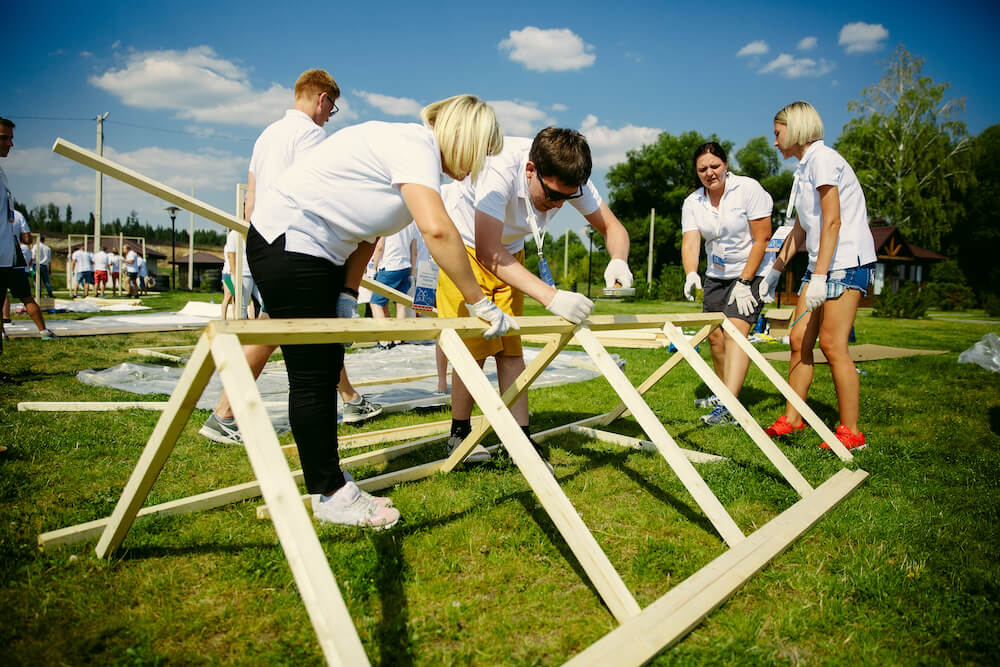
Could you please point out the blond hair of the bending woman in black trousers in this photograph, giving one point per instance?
(467, 132)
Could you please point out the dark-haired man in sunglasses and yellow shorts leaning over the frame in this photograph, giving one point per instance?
(518, 192)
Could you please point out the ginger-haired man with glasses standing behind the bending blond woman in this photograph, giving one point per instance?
(280, 144)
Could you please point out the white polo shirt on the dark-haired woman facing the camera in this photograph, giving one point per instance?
(726, 229)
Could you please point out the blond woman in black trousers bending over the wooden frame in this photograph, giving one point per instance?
(365, 181)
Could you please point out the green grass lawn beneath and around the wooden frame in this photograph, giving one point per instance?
(903, 572)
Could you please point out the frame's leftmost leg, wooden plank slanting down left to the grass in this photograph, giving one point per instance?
(182, 402)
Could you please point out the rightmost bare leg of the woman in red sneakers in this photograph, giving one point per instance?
(838, 318)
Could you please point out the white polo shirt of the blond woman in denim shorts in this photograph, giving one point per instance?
(822, 165)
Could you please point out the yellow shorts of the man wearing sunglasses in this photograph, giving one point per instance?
(451, 303)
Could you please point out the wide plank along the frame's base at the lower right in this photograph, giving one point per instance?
(675, 614)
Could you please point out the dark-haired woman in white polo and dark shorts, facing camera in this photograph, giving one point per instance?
(733, 214)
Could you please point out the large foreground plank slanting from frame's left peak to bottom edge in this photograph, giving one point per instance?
(317, 586)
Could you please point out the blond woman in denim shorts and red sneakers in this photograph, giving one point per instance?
(832, 220)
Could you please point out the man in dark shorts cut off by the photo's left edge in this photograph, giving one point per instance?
(14, 229)
